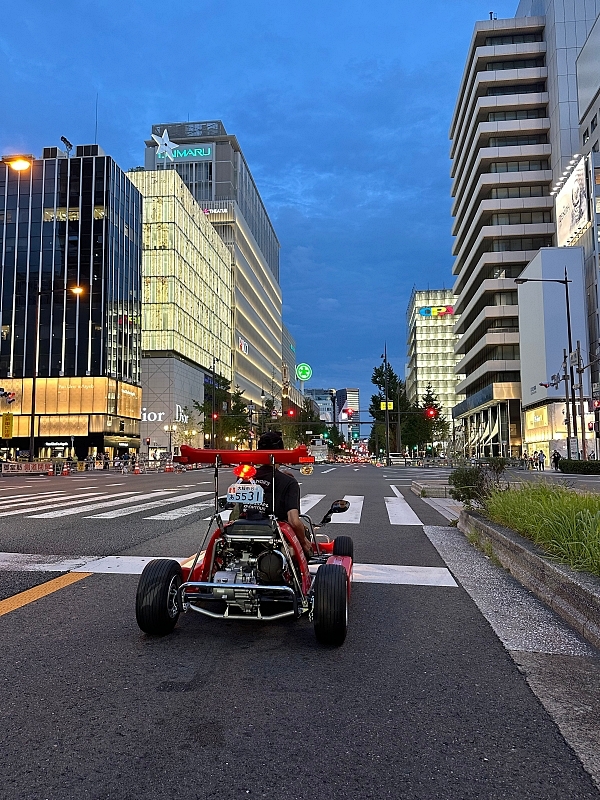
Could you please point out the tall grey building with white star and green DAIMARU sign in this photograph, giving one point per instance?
(212, 165)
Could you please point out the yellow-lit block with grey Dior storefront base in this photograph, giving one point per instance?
(187, 307)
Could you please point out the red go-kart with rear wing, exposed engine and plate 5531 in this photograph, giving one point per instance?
(252, 569)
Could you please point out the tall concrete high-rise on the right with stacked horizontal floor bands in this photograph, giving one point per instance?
(514, 132)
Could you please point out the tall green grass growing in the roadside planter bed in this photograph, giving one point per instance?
(564, 523)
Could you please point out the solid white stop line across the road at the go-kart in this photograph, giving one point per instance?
(134, 565)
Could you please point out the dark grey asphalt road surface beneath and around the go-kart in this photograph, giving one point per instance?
(423, 700)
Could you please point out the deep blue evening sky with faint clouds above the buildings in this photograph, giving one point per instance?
(342, 110)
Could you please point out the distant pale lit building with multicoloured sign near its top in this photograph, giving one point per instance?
(430, 321)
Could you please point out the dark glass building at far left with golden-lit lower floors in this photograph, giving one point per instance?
(70, 223)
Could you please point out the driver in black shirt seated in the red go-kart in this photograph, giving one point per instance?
(287, 492)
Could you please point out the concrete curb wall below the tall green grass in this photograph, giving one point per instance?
(574, 596)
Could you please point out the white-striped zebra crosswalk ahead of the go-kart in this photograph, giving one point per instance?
(171, 504)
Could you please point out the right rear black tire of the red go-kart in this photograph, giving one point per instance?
(330, 612)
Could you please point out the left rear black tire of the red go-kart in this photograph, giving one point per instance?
(156, 610)
